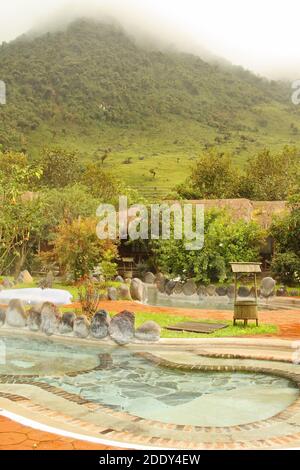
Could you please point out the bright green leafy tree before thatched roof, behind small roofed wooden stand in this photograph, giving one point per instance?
(225, 241)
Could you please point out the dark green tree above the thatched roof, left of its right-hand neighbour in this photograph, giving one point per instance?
(214, 177)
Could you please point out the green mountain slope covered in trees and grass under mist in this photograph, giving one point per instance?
(93, 88)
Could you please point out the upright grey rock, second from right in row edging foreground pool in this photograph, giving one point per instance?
(121, 328)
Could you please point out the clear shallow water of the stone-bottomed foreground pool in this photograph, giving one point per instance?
(122, 380)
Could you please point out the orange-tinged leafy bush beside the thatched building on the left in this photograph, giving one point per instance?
(77, 249)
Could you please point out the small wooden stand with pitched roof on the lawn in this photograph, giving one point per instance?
(245, 309)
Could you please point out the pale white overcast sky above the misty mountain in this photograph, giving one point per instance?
(261, 35)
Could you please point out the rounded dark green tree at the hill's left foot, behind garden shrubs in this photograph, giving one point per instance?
(60, 168)
